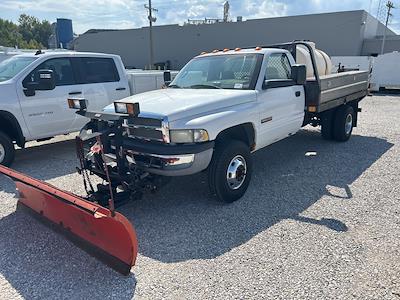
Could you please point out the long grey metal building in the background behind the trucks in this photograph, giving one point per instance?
(349, 33)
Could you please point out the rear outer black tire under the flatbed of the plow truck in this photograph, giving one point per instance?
(342, 128)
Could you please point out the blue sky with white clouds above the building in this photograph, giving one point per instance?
(121, 14)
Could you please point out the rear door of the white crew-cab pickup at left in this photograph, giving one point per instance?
(102, 84)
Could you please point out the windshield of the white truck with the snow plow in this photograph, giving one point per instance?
(231, 71)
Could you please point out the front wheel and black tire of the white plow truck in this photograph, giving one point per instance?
(224, 153)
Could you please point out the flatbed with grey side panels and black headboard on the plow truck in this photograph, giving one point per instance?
(328, 91)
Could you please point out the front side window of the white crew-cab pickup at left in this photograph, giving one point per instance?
(62, 71)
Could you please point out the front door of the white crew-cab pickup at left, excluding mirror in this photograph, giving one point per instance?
(46, 113)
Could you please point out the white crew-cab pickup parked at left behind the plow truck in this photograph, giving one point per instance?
(34, 88)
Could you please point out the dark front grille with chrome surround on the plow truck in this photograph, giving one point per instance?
(145, 128)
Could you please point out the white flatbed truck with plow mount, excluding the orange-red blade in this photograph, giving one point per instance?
(221, 107)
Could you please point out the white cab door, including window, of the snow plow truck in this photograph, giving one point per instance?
(281, 102)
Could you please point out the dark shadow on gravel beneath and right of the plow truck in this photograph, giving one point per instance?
(183, 223)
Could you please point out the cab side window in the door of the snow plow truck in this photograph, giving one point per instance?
(278, 67)
